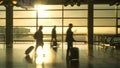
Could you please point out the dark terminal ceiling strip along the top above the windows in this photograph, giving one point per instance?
(30, 3)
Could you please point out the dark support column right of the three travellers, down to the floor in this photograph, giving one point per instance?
(90, 22)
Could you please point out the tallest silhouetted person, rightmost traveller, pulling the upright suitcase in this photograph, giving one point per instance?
(69, 38)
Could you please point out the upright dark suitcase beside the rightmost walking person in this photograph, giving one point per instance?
(74, 53)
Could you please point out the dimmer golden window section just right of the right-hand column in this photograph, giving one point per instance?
(104, 19)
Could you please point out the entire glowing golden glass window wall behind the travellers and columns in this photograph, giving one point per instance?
(25, 25)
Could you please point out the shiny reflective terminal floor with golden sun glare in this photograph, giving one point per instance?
(101, 56)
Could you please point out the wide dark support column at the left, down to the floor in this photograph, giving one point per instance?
(9, 24)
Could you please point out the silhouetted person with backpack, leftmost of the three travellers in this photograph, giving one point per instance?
(39, 37)
